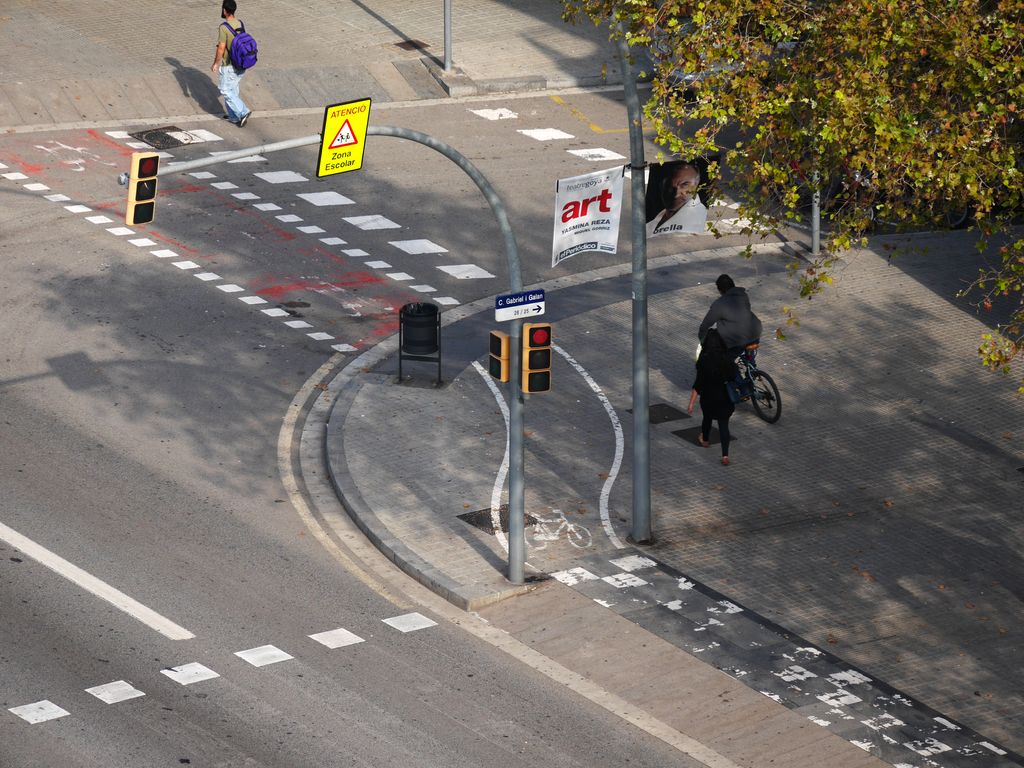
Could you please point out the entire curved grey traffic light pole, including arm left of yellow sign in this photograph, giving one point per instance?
(518, 534)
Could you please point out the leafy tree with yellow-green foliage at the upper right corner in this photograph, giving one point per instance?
(901, 111)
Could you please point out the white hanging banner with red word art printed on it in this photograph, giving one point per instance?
(587, 212)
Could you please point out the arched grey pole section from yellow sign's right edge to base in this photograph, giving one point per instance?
(518, 534)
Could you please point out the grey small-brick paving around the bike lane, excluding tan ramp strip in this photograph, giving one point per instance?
(875, 523)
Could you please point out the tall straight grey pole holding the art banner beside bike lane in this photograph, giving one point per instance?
(642, 399)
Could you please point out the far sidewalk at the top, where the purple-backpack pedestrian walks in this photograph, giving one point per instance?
(65, 63)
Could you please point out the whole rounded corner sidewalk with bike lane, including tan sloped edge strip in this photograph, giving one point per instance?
(860, 563)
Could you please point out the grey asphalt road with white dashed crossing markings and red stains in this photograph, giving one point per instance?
(142, 403)
